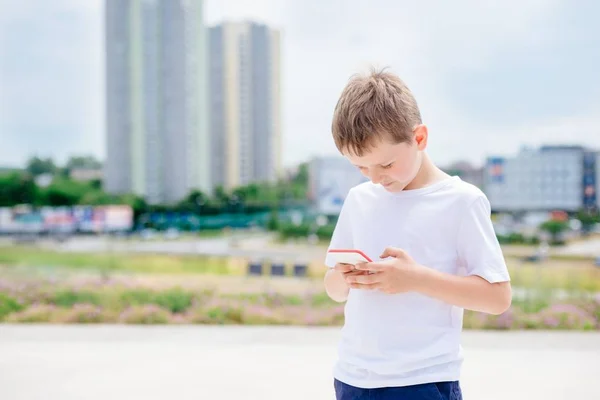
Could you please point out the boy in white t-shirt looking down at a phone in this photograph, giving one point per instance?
(434, 249)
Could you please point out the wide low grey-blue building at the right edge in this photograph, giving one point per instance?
(549, 178)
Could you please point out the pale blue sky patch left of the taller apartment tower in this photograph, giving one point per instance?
(51, 79)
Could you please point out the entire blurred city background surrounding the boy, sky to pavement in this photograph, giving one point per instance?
(170, 162)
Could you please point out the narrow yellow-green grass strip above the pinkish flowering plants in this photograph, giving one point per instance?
(570, 275)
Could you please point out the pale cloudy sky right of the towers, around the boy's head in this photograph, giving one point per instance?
(482, 72)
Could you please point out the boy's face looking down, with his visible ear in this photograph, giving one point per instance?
(393, 166)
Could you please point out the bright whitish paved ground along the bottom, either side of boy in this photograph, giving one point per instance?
(115, 362)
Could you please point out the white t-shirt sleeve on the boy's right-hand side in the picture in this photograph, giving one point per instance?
(478, 247)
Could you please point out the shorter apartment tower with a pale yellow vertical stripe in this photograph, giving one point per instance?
(245, 103)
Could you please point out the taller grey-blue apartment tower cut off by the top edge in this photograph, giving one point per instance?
(157, 138)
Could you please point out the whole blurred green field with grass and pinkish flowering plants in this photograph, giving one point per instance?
(155, 288)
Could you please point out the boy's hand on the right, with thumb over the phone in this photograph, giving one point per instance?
(397, 275)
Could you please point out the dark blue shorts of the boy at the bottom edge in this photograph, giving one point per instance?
(426, 391)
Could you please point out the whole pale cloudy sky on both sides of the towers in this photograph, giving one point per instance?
(490, 77)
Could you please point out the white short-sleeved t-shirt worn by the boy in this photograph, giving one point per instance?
(409, 338)
